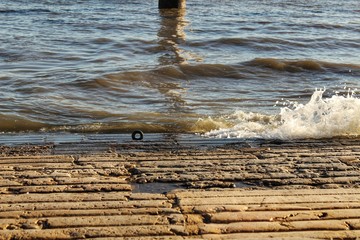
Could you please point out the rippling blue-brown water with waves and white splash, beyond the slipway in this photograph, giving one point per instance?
(249, 68)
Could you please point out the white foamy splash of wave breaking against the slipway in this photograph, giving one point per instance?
(319, 118)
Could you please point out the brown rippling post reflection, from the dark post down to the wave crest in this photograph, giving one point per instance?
(171, 34)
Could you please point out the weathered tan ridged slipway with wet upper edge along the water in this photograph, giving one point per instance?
(178, 187)
